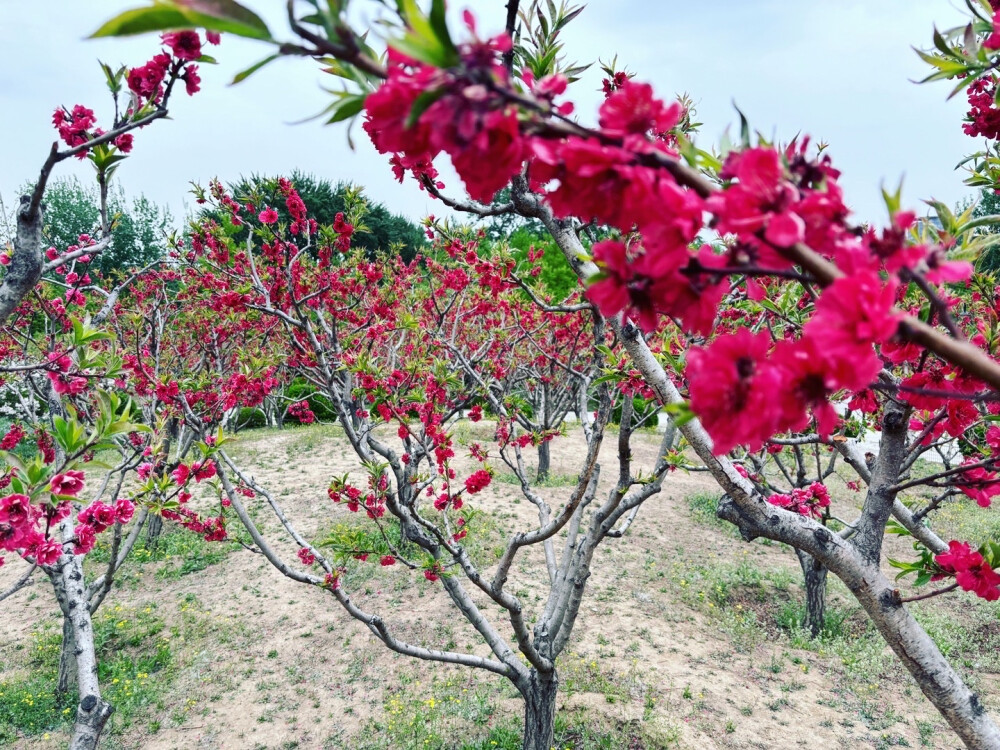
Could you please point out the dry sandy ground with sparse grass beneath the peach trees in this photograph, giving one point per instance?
(282, 665)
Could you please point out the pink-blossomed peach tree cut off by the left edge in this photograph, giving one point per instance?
(60, 364)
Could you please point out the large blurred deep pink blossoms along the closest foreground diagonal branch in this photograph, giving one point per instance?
(745, 387)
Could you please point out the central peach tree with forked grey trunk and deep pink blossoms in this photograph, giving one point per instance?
(399, 351)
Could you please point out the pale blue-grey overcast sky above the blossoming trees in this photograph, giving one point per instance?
(839, 70)
